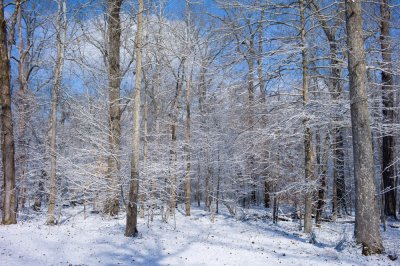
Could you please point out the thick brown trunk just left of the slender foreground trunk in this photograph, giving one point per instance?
(111, 205)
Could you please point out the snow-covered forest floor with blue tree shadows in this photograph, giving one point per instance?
(196, 240)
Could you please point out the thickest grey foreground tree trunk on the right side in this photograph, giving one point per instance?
(367, 229)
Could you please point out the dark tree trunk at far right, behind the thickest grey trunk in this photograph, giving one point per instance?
(388, 141)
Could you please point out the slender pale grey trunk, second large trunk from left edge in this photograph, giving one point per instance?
(61, 36)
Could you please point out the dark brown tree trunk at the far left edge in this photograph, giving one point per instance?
(7, 133)
